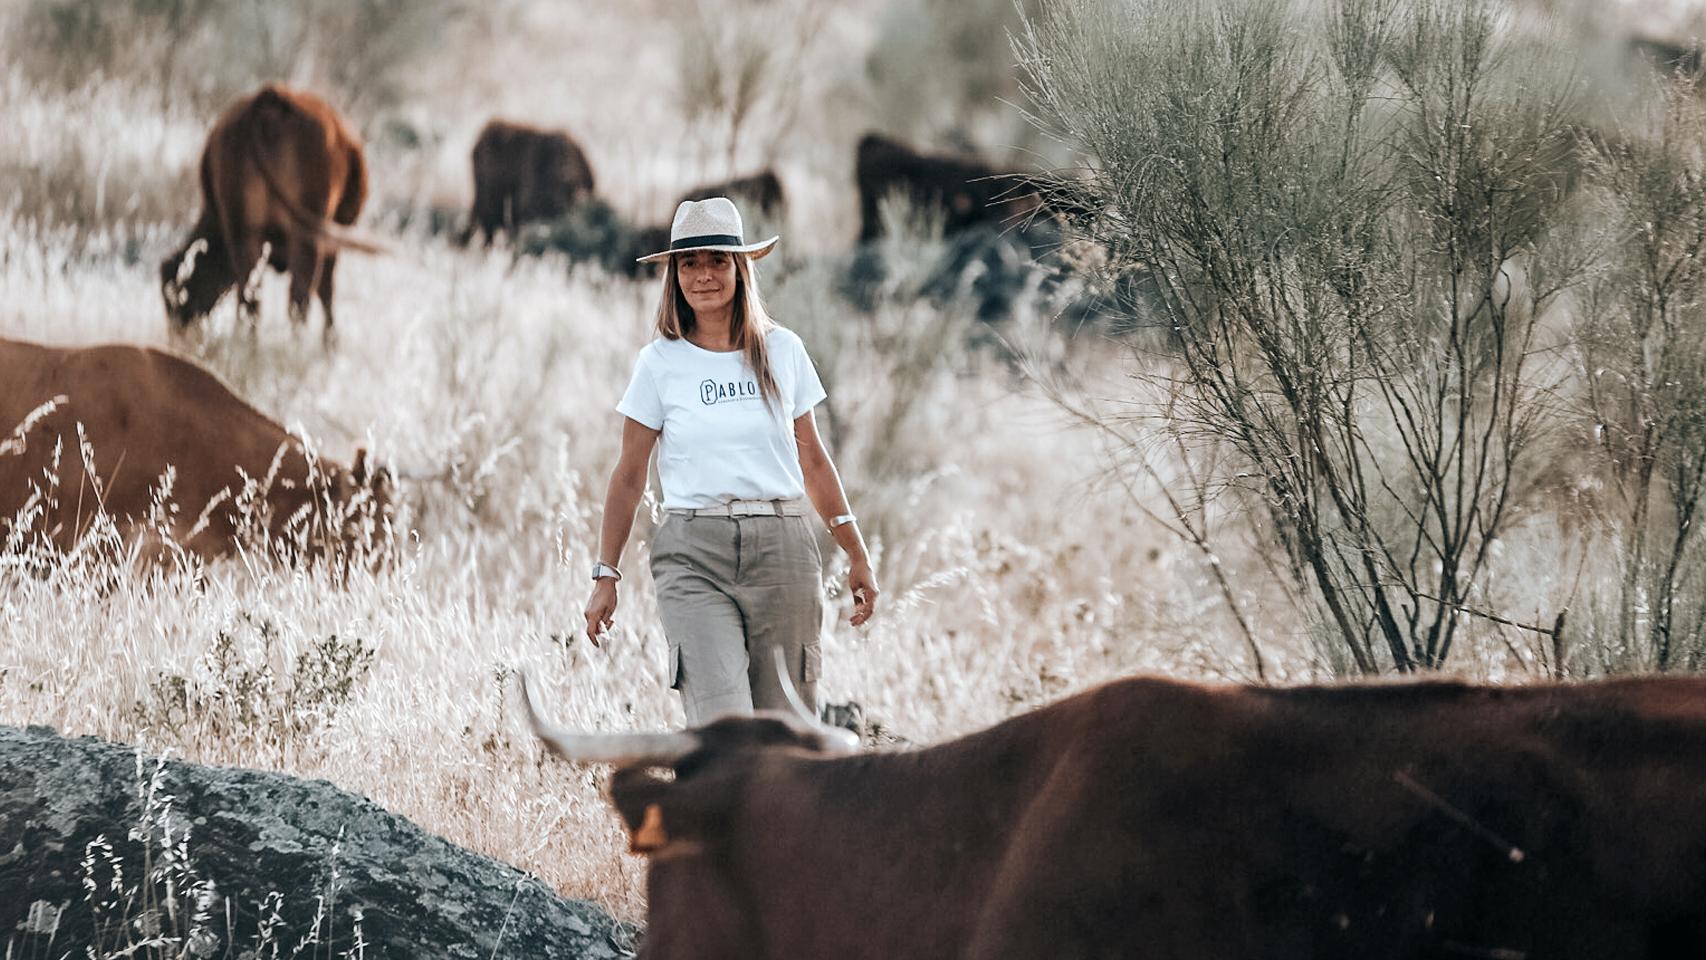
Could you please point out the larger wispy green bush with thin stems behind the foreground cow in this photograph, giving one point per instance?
(1354, 234)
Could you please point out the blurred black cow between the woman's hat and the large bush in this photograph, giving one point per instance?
(963, 192)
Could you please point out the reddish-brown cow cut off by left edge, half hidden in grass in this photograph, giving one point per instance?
(144, 412)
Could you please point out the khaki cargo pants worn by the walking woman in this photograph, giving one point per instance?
(729, 593)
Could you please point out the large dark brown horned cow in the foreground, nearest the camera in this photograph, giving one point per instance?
(1183, 823)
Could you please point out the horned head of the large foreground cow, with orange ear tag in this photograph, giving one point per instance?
(678, 816)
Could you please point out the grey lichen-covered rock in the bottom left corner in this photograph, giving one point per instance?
(107, 848)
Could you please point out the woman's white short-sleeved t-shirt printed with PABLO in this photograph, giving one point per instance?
(721, 441)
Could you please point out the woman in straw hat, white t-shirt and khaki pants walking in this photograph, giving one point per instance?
(728, 398)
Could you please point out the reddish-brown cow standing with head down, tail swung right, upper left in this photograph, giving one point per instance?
(281, 170)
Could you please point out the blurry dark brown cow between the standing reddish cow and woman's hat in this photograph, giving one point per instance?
(525, 175)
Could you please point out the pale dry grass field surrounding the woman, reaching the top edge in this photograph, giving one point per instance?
(1016, 565)
